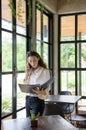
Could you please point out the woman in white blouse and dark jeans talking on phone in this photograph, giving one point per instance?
(36, 73)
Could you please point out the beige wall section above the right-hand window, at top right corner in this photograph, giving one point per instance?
(71, 6)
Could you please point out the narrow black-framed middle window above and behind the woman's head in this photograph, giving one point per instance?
(44, 36)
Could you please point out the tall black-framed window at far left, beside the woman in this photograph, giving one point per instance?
(14, 45)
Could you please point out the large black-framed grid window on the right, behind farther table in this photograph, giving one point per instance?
(72, 53)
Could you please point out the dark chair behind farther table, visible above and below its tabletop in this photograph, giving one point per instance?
(66, 108)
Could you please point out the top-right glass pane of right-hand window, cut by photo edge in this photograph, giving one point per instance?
(81, 27)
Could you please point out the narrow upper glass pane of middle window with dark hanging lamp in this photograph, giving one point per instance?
(45, 28)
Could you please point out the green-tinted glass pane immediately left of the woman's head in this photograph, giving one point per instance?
(21, 53)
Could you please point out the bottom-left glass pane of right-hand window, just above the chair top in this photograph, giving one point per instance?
(68, 81)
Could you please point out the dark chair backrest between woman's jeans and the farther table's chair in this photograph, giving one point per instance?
(53, 109)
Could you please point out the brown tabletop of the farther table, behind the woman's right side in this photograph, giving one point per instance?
(63, 98)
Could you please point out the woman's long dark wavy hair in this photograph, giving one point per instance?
(41, 62)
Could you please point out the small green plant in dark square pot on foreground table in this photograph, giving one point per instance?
(34, 119)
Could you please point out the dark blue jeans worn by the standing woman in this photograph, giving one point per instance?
(35, 104)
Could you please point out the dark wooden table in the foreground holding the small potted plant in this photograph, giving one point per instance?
(54, 122)
